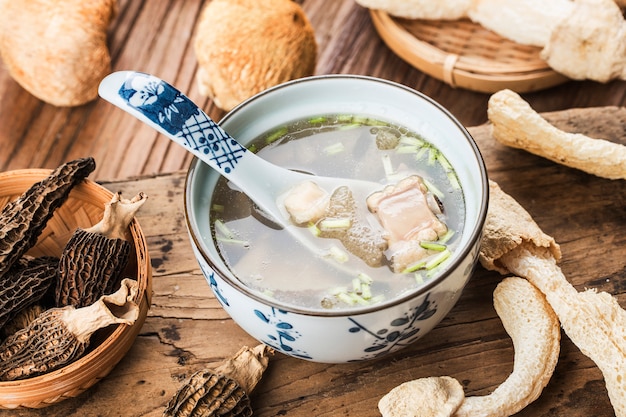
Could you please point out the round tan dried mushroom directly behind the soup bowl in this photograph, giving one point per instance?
(246, 46)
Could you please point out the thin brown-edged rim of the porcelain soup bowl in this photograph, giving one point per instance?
(462, 252)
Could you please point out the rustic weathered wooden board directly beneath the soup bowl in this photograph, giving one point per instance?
(186, 330)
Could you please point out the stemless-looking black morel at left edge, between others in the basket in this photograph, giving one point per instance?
(25, 284)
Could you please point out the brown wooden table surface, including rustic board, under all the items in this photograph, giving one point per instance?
(186, 329)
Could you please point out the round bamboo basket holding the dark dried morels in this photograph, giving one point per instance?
(83, 208)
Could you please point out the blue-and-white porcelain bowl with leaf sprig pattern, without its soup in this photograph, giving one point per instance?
(338, 336)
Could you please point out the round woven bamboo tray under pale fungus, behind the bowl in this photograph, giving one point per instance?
(464, 54)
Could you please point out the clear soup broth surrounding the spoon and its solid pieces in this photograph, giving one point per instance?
(268, 259)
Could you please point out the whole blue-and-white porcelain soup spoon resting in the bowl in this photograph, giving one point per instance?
(163, 107)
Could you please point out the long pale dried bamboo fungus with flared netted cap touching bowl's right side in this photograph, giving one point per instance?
(594, 321)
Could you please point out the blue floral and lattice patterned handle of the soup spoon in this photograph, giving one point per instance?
(169, 111)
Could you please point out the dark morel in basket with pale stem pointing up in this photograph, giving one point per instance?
(93, 259)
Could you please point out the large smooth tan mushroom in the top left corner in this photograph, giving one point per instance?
(57, 50)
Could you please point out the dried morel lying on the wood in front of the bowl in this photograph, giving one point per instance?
(223, 391)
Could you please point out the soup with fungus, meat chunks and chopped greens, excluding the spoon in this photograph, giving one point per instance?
(381, 258)
